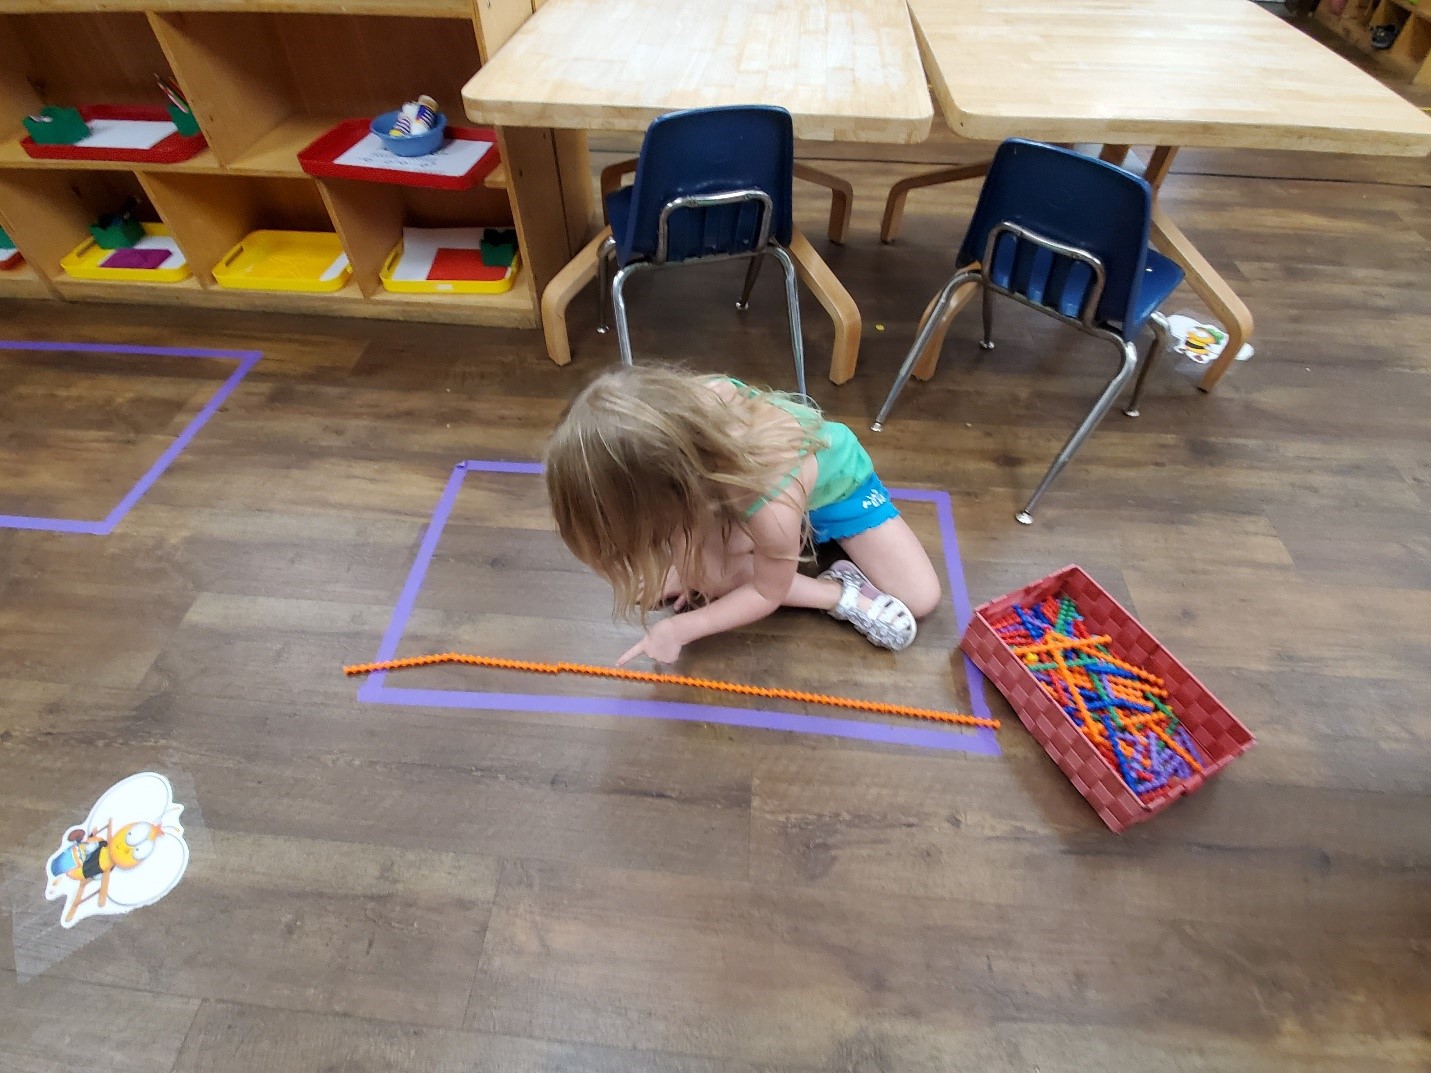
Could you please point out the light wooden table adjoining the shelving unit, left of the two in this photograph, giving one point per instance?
(846, 71)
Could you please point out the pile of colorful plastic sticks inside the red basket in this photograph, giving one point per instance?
(1117, 706)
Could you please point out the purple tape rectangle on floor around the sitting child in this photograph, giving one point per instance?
(377, 692)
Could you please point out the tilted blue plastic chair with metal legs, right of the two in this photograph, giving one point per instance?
(1067, 235)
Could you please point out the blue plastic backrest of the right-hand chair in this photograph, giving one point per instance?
(1075, 201)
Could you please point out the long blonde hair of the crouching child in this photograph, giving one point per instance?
(649, 461)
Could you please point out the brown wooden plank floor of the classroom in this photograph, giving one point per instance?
(384, 888)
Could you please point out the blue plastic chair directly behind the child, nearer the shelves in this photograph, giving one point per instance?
(710, 185)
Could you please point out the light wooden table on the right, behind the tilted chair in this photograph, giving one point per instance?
(1168, 74)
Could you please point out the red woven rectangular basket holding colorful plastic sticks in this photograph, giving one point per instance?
(1217, 732)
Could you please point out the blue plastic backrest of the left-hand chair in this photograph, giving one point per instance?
(705, 152)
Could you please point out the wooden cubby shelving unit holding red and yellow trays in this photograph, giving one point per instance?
(265, 78)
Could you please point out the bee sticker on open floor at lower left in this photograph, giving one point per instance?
(130, 852)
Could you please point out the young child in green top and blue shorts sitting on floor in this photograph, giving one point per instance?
(675, 486)
